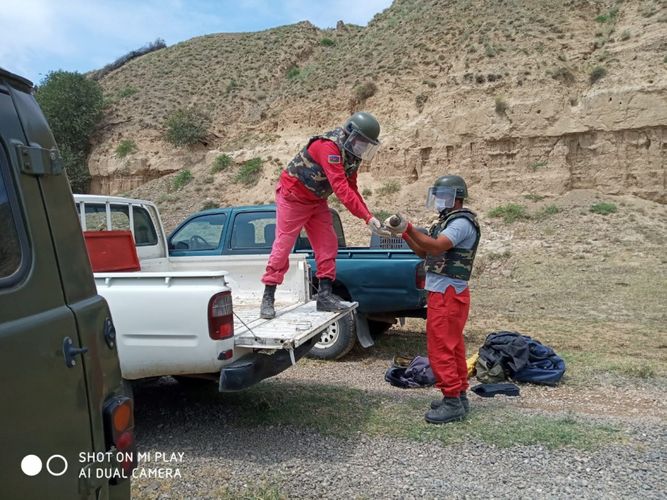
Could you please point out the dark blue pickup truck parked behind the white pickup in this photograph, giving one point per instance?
(388, 283)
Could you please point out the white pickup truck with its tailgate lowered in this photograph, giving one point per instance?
(196, 316)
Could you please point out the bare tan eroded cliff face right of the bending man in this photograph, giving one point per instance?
(614, 141)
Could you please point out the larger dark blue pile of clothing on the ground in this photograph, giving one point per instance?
(510, 355)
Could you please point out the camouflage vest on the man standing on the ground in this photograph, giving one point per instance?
(456, 262)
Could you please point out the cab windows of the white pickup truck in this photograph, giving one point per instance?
(144, 229)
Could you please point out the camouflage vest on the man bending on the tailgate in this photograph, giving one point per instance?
(311, 174)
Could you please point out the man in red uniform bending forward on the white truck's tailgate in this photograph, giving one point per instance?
(327, 164)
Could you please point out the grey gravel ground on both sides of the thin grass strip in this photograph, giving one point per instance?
(222, 459)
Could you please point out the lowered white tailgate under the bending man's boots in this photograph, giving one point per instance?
(291, 327)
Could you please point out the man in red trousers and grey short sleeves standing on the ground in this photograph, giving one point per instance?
(449, 252)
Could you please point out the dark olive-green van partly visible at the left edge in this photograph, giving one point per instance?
(61, 382)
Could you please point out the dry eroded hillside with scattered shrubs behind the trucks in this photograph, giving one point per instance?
(522, 97)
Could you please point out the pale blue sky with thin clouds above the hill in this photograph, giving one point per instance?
(39, 36)
